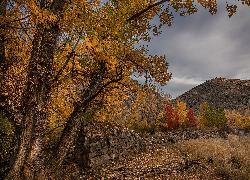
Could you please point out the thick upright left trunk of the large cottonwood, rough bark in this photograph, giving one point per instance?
(29, 159)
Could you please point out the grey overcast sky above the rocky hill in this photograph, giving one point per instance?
(202, 46)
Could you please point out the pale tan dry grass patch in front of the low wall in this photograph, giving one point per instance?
(230, 157)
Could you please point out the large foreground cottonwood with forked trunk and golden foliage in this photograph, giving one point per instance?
(73, 49)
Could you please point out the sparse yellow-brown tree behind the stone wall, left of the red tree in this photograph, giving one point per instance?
(147, 109)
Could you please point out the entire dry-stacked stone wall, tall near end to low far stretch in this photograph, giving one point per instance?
(100, 142)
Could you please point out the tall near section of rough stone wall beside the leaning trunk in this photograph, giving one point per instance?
(100, 142)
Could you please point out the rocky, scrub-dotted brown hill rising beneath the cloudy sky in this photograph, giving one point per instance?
(228, 93)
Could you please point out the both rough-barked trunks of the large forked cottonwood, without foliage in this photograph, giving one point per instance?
(29, 159)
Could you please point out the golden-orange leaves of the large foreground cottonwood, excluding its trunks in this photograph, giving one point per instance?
(91, 34)
